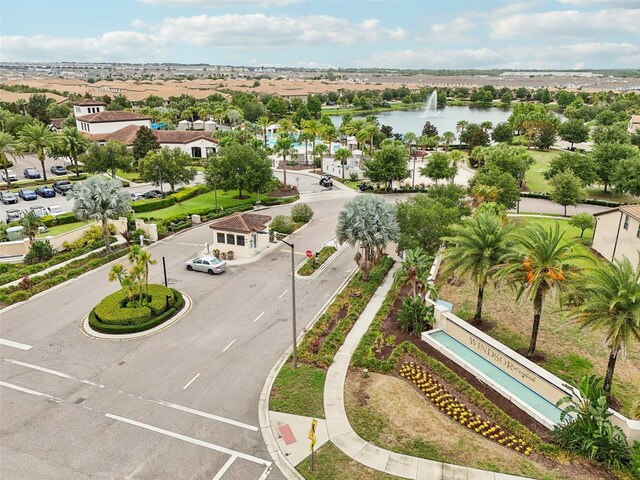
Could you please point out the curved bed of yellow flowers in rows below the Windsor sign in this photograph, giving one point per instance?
(457, 411)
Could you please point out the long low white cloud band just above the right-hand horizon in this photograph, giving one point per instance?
(588, 55)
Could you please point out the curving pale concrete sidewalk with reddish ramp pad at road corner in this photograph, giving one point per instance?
(285, 435)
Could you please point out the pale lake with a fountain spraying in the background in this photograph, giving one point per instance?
(404, 121)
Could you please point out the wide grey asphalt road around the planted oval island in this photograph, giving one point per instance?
(178, 404)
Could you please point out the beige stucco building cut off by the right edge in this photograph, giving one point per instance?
(617, 233)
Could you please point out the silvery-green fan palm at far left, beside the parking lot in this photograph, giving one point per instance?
(100, 198)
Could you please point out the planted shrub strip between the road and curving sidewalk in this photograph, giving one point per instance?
(354, 298)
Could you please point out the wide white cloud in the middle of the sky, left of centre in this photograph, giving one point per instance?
(260, 30)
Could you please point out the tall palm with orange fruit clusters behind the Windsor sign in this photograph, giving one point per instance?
(539, 264)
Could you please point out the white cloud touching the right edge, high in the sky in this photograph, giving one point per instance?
(565, 24)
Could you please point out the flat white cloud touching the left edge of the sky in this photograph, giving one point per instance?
(111, 46)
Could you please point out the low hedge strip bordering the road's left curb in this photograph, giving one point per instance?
(16, 293)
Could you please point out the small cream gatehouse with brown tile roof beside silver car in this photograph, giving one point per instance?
(237, 233)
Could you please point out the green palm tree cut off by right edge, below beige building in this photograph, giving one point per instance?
(612, 304)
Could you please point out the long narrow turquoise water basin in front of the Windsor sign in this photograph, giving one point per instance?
(509, 384)
